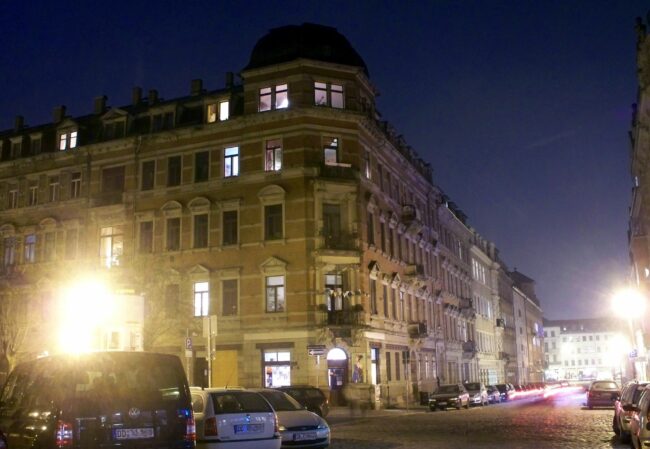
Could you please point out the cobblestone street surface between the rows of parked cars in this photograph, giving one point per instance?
(561, 423)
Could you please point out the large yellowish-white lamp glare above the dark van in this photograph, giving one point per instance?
(84, 307)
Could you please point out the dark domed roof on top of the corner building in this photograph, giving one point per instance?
(309, 41)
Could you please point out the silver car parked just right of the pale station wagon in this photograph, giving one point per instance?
(299, 427)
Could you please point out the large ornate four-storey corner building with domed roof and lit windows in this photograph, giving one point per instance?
(263, 222)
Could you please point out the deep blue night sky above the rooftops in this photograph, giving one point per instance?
(522, 108)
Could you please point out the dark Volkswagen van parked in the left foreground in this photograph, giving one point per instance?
(98, 400)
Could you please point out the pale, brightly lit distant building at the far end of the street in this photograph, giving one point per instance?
(585, 349)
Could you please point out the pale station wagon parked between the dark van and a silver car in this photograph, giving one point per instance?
(234, 419)
